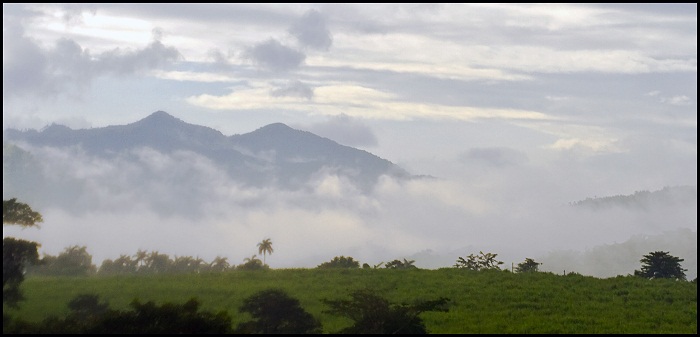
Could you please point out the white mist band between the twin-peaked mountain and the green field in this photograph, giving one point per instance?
(182, 204)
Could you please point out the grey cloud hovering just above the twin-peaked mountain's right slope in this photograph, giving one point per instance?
(345, 130)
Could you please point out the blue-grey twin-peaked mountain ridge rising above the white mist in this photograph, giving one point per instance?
(274, 154)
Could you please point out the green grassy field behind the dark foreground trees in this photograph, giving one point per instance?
(482, 301)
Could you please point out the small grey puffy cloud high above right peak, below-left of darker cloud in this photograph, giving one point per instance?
(273, 55)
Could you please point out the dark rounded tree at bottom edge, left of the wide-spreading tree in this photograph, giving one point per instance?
(274, 311)
